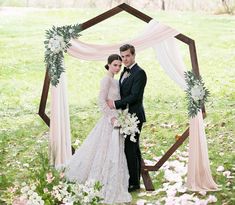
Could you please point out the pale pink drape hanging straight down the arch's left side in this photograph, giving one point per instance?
(59, 141)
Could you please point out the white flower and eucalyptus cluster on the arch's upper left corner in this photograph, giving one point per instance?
(56, 43)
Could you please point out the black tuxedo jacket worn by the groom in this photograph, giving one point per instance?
(132, 91)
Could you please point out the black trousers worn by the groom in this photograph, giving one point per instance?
(133, 156)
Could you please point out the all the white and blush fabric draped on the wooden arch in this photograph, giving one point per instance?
(161, 38)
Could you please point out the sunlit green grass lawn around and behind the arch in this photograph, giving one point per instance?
(23, 134)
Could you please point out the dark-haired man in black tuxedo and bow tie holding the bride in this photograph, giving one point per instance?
(132, 83)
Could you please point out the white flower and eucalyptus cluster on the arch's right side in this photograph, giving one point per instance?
(197, 93)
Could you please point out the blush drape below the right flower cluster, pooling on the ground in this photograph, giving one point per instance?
(199, 176)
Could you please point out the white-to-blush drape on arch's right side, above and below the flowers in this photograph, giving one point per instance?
(199, 174)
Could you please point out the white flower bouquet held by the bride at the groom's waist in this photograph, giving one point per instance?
(128, 124)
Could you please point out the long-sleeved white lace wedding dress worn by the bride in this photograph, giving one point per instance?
(101, 156)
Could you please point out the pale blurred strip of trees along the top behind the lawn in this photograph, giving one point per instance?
(215, 6)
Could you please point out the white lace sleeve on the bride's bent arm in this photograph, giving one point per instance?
(103, 97)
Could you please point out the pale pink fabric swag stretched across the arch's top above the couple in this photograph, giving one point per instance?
(153, 33)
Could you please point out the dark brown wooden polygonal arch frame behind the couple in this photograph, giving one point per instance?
(193, 56)
